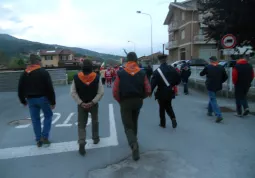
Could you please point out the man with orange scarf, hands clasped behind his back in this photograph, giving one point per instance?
(87, 90)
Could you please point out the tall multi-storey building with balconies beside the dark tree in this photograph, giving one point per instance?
(186, 33)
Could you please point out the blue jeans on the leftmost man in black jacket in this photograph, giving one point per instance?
(35, 106)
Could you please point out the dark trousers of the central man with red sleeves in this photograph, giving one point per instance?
(130, 109)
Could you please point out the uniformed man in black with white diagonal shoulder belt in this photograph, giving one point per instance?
(165, 77)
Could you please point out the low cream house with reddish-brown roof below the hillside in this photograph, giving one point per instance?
(56, 58)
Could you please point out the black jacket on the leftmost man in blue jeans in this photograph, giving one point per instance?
(36, 84)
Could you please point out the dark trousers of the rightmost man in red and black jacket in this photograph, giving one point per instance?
(241, 99)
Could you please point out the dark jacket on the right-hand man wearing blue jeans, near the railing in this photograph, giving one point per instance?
(215, 77)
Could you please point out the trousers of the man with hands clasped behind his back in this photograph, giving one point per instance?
(83, 115)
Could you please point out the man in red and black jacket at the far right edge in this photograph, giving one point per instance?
(242, 76)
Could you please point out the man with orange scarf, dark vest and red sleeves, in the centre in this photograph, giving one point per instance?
(130, 88)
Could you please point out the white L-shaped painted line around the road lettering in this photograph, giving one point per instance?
(32, 150)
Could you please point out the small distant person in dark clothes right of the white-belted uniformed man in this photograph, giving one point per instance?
(185, 74)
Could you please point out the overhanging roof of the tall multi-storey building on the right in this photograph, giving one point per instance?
(180, 5)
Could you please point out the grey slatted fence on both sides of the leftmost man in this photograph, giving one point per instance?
(9, 79)
